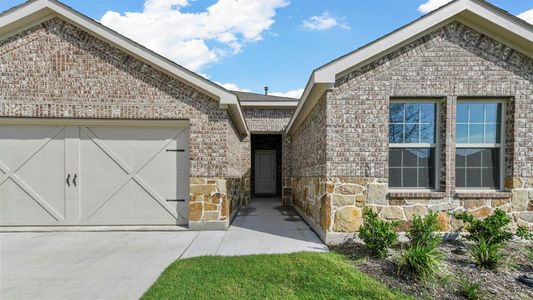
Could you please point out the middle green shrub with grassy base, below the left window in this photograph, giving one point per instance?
(422, 258)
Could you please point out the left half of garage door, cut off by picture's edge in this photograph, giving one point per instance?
(32, 179)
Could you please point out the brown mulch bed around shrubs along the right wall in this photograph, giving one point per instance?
(457, 268)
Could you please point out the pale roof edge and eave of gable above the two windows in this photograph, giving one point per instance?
(478, 14)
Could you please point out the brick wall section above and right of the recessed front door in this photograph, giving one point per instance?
(268, 120)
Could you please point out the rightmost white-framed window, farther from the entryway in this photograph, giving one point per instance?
(479, 145)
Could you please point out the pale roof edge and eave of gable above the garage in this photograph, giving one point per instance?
(34, 12)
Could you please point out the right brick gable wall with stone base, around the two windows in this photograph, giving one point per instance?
(451, 63)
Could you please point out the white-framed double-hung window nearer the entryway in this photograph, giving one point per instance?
(412, 144)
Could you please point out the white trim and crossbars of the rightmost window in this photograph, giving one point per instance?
(500, 145)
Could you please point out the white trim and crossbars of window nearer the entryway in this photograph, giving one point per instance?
(435, 145)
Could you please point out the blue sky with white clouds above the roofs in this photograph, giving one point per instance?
(249, 44)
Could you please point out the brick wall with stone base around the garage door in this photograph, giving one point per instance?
(56, 70)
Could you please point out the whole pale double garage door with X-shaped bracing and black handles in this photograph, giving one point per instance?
(92, 175)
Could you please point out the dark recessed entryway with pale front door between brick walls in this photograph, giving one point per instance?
(266, 164)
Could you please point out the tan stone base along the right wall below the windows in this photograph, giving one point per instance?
(334, 206)
